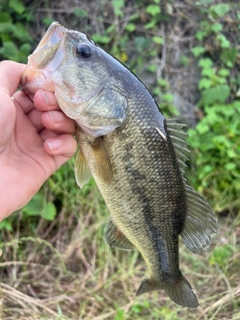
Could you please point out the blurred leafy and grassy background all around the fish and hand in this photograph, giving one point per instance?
(54, 262)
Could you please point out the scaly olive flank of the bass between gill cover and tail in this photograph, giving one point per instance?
(132, 197)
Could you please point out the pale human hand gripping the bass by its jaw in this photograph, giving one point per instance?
(36, 138)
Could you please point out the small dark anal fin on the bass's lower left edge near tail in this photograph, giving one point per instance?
(115, 238)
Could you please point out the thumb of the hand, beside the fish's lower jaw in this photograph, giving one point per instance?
(10, 75)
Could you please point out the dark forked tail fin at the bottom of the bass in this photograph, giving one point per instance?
(180, 291)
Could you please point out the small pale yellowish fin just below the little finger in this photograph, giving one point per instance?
(82, 171)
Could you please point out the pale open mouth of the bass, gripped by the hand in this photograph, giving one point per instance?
(46, 58)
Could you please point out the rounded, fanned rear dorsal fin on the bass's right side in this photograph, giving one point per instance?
(200, 222)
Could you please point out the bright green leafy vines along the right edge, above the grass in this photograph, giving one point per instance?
(215, 139)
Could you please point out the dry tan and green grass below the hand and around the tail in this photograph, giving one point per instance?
(64, 270)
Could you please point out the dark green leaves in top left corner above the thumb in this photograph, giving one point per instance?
(15, 40)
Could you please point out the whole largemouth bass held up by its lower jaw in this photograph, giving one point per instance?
(135, 155)
